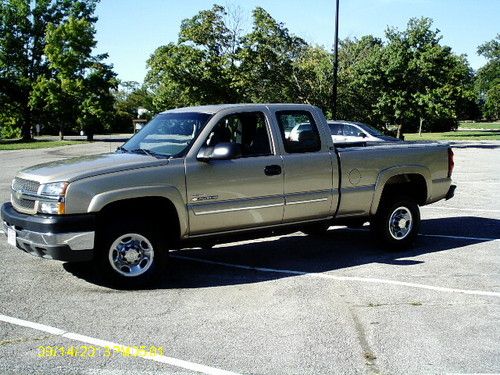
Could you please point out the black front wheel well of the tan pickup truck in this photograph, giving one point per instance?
(142, 208)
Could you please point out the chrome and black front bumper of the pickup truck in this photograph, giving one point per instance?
(66, 237)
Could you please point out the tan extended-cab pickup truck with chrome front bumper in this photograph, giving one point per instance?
(202, 173)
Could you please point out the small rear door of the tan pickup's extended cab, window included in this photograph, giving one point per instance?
(310, 184)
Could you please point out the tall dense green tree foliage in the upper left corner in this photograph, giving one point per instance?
(47, 73)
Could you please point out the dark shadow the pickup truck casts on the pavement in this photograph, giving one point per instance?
(335, 250)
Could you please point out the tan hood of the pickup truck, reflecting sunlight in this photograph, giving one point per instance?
(86, 166)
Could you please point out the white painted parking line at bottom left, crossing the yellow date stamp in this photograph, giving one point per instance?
(117, 347)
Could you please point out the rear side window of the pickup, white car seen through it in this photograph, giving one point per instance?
(299, 131)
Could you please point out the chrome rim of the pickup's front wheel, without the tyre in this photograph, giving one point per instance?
(131, 255)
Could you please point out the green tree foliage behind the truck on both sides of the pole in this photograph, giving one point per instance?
(408, 79)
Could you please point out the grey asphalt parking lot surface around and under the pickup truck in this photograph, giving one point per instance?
(295, 304)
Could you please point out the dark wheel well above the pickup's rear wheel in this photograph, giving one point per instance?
(410, 185)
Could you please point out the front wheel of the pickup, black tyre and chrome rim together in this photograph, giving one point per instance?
(132, 255)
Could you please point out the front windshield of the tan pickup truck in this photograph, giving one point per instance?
(168, 134)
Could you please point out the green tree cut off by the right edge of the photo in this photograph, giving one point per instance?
(488, 79)
